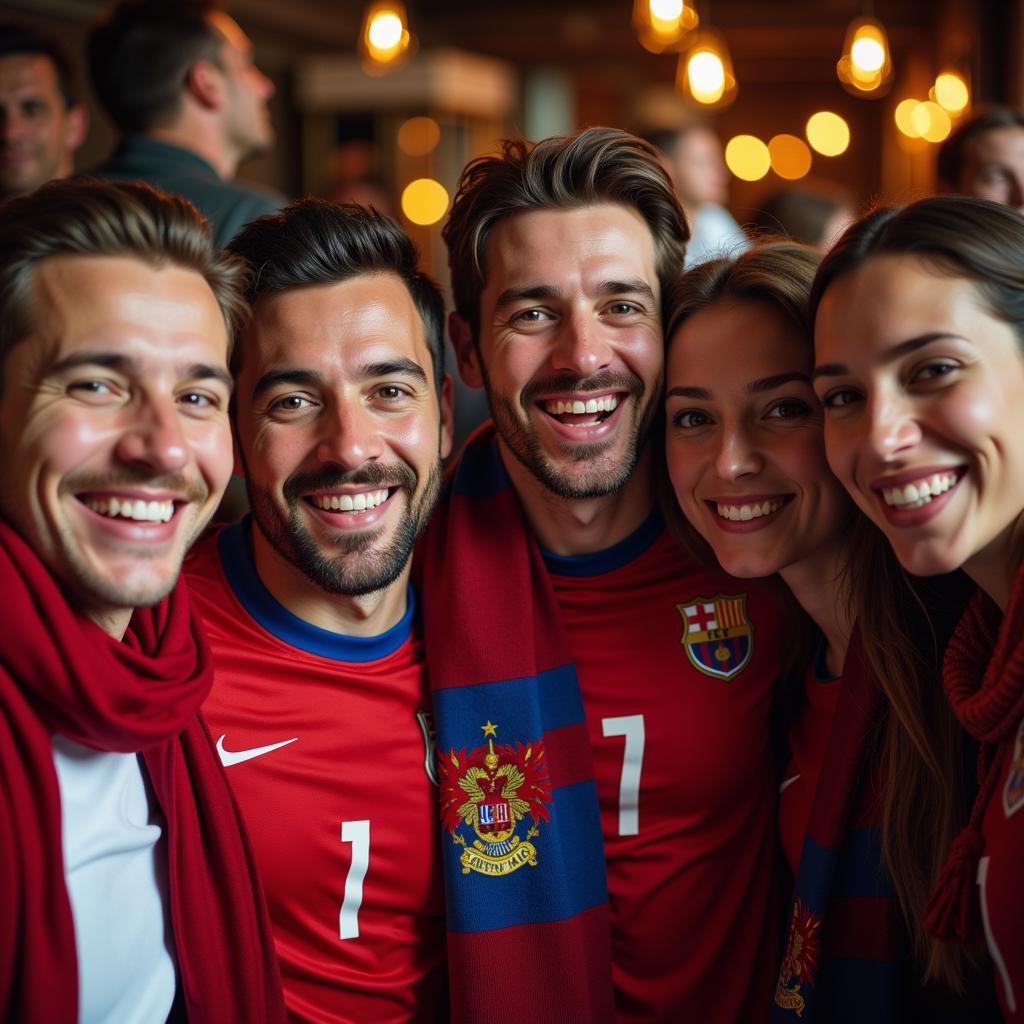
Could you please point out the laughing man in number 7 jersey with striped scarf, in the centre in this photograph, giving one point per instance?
(571, 641)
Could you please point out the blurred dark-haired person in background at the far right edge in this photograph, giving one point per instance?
(985, 158)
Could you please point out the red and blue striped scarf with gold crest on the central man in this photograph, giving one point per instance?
(528, 912)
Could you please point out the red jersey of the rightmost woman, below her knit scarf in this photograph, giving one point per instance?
(1001, 881)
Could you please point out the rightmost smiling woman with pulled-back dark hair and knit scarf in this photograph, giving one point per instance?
(920, 335)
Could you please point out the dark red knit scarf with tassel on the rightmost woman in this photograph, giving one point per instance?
(984, 676)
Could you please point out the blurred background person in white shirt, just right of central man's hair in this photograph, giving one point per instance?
(693, 156)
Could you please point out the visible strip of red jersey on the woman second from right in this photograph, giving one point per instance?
(808, 743)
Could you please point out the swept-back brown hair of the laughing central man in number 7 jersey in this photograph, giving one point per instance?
(594, 166)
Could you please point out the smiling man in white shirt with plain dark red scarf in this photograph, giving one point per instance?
(122, 866)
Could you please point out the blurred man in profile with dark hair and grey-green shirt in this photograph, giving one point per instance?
(179, 80)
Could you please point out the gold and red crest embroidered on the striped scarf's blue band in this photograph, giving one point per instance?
(487, 796)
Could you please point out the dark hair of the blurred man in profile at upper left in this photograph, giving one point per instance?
(140, 56)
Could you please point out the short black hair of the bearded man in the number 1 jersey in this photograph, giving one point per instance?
(313, 242)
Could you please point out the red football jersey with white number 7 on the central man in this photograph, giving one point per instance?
(677, 665)
